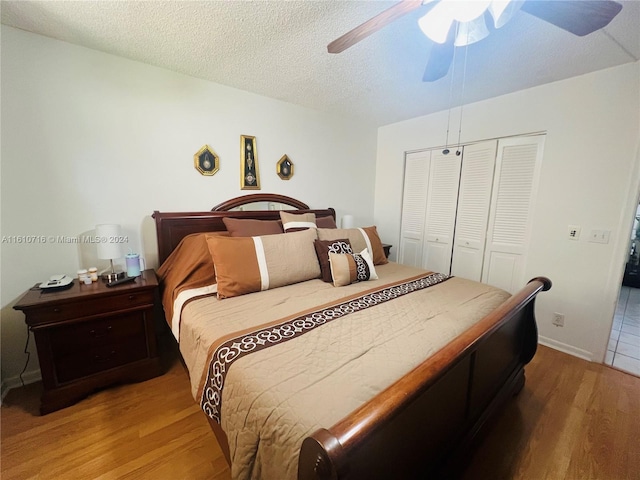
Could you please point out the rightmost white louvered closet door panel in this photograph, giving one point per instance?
(514, 189)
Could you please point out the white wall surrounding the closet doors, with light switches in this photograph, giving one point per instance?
(590, 177)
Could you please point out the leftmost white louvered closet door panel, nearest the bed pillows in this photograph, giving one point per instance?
(414, 206)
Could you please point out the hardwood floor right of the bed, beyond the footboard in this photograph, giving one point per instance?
(573, 420)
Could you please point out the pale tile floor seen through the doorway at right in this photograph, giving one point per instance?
(624, 344)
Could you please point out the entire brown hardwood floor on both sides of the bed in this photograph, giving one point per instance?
(572, 420)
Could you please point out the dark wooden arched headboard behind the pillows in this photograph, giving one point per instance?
(172, 227)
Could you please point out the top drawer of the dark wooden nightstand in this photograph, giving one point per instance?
(89, 307)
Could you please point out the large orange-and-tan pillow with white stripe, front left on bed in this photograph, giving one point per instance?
(251, 264)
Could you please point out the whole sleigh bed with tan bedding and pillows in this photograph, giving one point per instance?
(379, 371)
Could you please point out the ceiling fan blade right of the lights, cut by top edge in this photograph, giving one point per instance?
(578, 17)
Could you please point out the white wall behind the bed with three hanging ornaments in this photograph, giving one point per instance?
(91, 138)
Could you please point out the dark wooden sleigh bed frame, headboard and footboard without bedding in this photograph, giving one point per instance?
(419, 426)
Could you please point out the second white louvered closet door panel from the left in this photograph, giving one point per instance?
(442, 196)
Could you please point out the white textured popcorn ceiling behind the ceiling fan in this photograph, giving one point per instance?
(278, 49)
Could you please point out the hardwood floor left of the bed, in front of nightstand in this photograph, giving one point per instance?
(148, 430)
